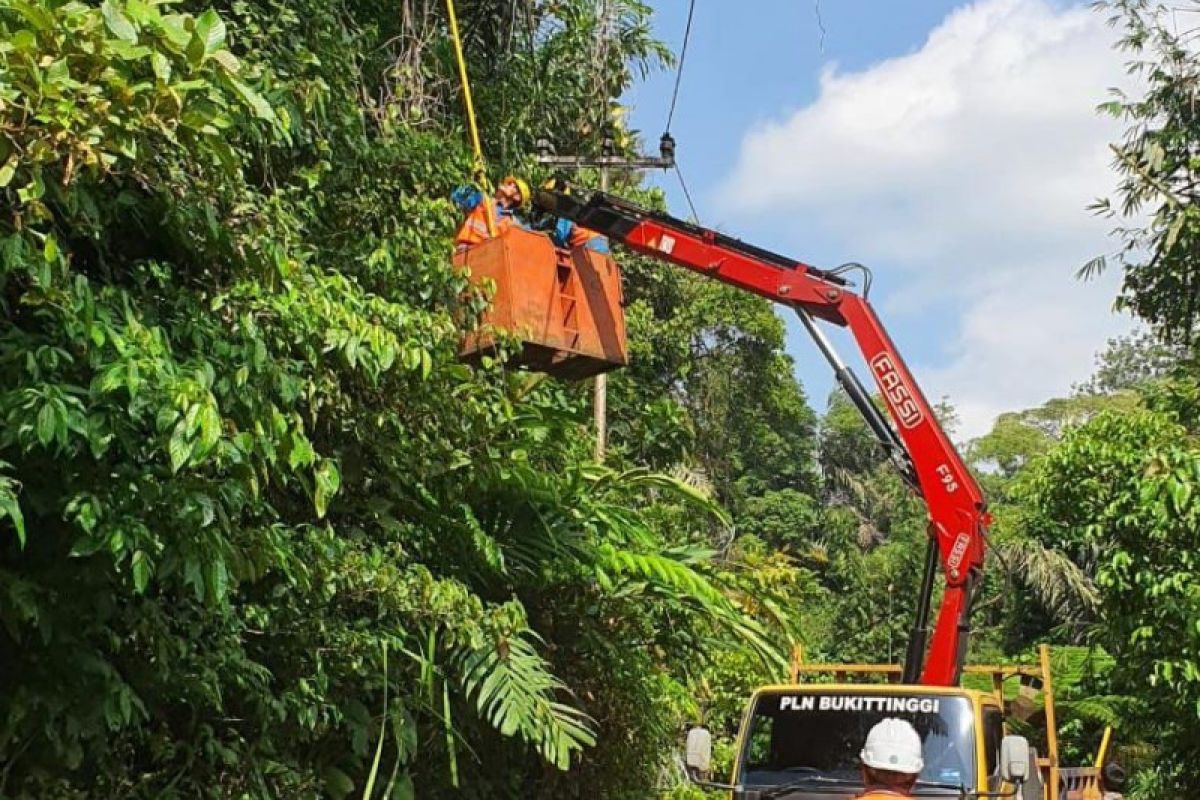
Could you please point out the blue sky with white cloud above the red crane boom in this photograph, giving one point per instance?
(951, 147)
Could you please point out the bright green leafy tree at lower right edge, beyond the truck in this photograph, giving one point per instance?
(1119, 492)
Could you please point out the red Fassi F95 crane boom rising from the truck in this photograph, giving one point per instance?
(915, 440)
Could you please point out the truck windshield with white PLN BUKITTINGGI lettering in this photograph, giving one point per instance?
(796, 735)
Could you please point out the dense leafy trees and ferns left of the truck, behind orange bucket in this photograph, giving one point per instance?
(261, 534)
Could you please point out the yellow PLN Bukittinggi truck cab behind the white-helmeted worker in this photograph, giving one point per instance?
(803, 741)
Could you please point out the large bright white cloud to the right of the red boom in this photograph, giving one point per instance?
(965, 169)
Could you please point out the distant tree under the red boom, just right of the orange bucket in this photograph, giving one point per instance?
(716, 354)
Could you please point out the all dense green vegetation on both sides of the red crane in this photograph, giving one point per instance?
(262, 536)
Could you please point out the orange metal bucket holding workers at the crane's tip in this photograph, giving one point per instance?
(565, 306)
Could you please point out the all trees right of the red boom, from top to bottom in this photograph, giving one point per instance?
(1101, 509)
